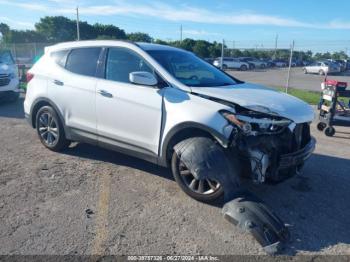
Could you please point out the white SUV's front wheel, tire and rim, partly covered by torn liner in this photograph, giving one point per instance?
(202, 190)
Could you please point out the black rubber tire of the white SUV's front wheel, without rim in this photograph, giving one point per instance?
(207, 198)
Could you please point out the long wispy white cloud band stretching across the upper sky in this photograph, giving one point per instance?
(183, 13)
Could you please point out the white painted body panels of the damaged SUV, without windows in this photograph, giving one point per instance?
(142, 116)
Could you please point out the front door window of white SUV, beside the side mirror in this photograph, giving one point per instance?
(121, 62)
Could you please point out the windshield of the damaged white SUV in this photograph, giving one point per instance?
(190, 70)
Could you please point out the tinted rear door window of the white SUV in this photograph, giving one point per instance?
(83, 61)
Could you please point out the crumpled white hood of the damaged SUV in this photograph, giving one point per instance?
(261, 99)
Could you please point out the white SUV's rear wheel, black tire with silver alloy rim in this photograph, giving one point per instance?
(50, 129)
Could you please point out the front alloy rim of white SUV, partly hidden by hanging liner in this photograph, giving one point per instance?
(203, 186)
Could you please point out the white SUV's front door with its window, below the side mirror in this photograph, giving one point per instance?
(128, 115)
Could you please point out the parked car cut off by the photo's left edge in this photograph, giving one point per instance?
(9, 80)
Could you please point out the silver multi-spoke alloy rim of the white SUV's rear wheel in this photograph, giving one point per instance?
(48, 129)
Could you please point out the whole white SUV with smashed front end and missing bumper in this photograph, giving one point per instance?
(144, 99)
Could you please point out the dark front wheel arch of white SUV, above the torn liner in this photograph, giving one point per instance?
(182, 135)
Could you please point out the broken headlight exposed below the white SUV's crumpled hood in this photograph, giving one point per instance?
(254, 123)
